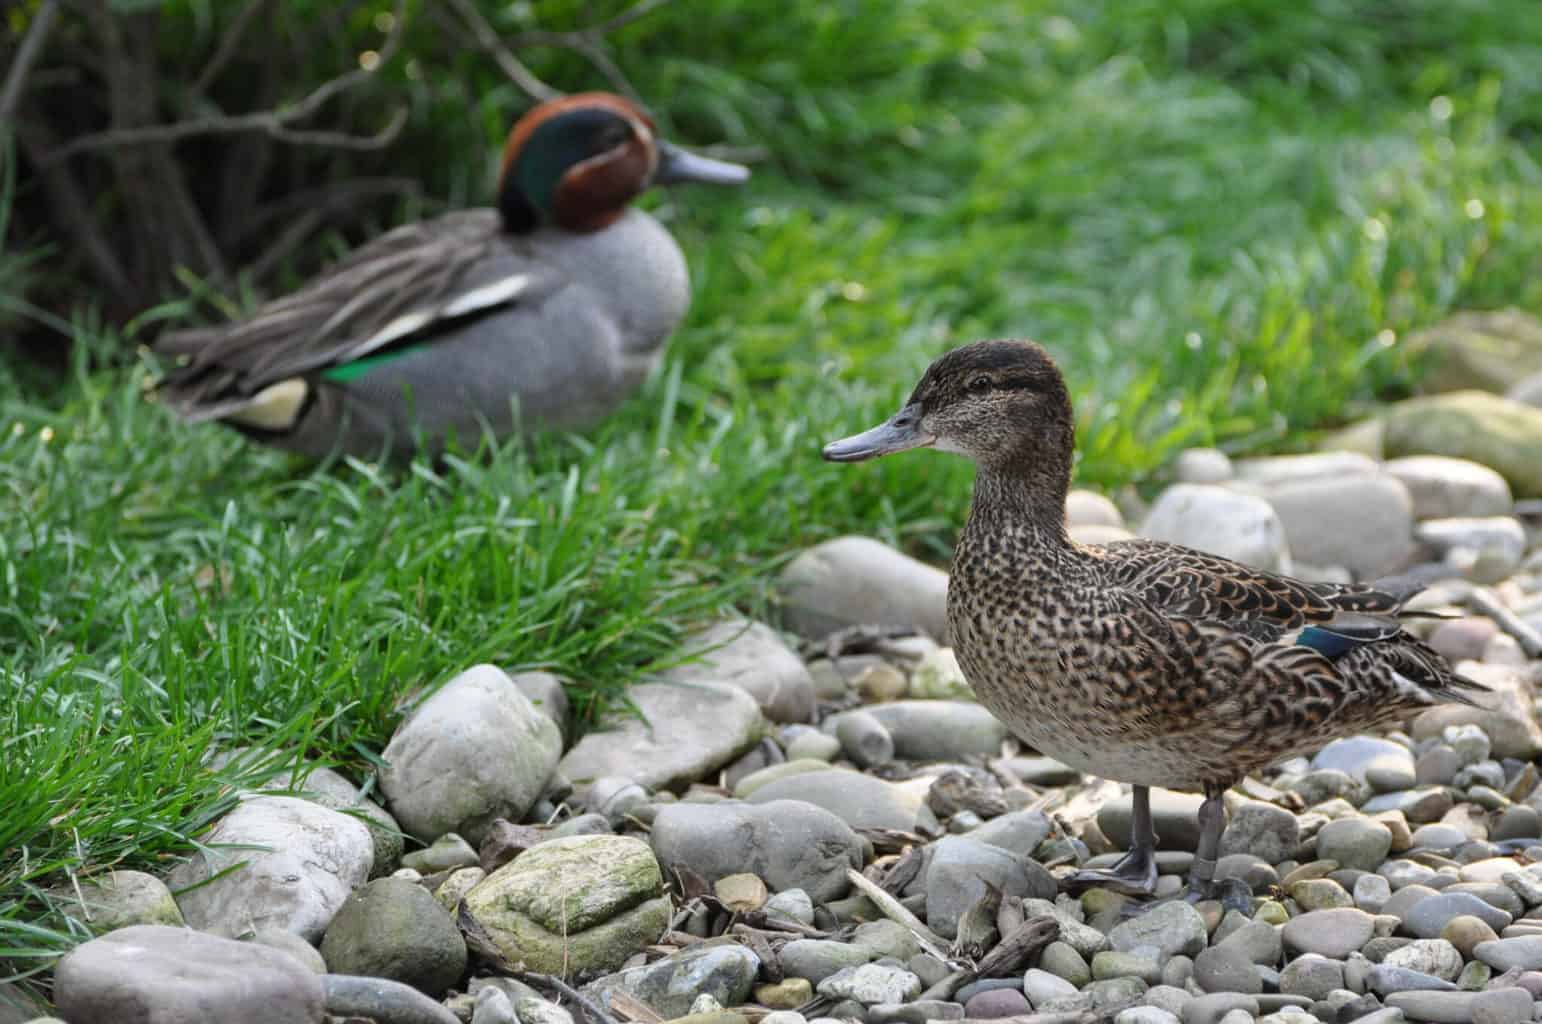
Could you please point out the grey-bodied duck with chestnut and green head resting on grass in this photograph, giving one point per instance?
(547, 311)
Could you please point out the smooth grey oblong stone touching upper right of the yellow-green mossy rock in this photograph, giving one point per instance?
(790, 844)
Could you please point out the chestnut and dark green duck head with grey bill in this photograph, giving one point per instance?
(577, 161)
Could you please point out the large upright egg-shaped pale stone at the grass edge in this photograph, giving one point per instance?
(473, 752)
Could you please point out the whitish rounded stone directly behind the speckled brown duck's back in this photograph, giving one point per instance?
(1220, 522)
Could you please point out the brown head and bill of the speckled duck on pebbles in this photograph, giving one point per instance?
(1000, 403)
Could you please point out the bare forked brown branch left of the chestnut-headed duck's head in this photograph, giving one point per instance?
(275, 123)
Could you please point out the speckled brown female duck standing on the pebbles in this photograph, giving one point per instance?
(1139, 661)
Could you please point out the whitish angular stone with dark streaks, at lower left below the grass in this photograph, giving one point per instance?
(300, 864)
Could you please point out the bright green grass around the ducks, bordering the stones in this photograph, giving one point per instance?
(1219, 215)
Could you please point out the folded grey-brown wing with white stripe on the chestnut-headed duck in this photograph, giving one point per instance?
(388, 295)
